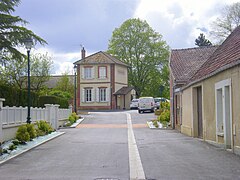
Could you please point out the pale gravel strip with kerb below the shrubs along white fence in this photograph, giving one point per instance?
(30, 145)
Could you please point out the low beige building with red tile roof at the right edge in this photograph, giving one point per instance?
(210, 98)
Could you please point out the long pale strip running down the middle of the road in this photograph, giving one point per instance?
(135, 164)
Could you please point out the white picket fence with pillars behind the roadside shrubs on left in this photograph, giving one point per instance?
(12, 117)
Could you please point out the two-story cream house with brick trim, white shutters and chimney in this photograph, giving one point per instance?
(102, 82)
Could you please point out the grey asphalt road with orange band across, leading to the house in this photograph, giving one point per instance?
(99, 149)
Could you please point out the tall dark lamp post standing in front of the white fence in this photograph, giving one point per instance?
(28, 45)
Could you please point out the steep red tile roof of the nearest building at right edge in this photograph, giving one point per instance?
(226, 56)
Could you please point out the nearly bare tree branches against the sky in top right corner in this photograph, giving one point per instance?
(229, 19)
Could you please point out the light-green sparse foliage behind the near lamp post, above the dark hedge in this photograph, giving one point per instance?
(14, 72)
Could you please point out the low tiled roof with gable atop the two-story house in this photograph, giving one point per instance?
(100, 58)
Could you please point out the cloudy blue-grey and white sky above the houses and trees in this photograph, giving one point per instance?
(68, 24)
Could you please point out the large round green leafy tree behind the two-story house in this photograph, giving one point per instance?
(138, 45)
